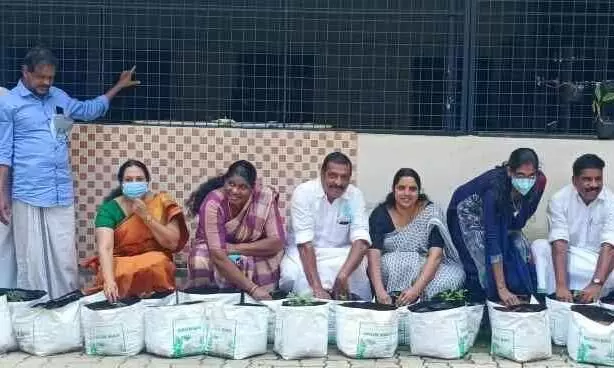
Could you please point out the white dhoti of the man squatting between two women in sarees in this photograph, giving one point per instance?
(329, 261)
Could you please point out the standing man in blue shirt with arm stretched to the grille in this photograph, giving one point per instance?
(36, 183)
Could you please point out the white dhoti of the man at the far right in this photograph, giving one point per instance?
(581, 265)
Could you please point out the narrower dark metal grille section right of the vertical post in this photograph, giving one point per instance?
(537, 62)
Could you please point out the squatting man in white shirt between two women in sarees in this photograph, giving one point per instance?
(328, 235)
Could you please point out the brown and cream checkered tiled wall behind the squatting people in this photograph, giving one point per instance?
(181, 158)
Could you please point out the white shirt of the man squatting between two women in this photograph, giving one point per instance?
(327, 225)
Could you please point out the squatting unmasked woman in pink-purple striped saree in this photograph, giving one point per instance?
(240, 237)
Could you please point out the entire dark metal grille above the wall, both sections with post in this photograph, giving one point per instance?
(448, 66)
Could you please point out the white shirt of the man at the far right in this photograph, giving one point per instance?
(588, 227)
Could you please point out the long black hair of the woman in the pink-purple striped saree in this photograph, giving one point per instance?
(241, 168)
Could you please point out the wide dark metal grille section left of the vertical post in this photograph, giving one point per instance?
(355, 64)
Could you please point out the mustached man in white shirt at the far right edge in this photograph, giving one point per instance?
(581, 236)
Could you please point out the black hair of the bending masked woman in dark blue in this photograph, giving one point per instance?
(502, 183)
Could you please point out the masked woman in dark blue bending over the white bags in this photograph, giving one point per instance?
(486, 217)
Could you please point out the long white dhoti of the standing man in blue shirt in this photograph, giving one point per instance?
(45, 248)
